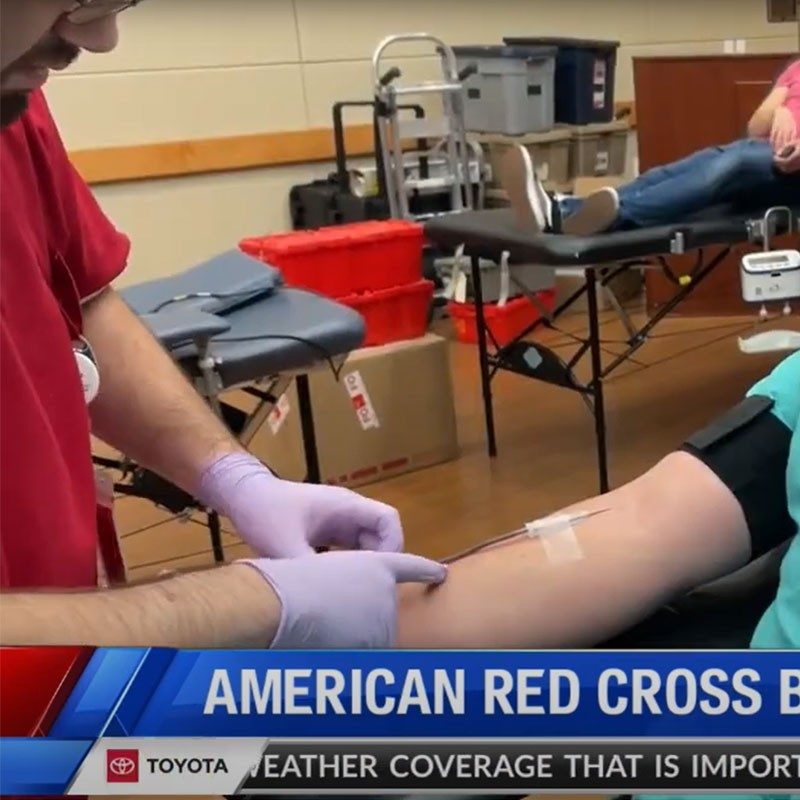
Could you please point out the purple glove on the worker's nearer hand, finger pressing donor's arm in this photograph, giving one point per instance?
(342, 600)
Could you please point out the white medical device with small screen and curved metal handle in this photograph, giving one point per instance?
(772, 275)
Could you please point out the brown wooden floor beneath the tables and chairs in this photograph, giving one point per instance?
(689, 372)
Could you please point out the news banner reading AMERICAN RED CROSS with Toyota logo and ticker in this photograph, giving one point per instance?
(143, 721)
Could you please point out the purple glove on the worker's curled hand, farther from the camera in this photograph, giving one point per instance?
(283, 519)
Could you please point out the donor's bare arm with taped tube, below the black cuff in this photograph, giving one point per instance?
(674, 528)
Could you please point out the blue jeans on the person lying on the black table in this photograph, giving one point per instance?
(741, 174)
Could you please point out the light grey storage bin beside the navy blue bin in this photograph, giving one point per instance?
(512, 90)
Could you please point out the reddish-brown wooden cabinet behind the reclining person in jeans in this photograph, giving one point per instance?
(684, 104)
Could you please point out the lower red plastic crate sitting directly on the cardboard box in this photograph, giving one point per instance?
(392, 315)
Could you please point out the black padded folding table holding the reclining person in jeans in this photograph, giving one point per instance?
(488, 234)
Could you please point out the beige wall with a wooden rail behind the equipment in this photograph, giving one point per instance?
(204, 68)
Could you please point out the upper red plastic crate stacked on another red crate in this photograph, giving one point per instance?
(345, 259)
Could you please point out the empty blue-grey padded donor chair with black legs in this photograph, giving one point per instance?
(230, 323)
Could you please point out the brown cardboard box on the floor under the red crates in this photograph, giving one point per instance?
(391, 412)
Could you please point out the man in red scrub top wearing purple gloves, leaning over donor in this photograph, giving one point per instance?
(58, 313)
